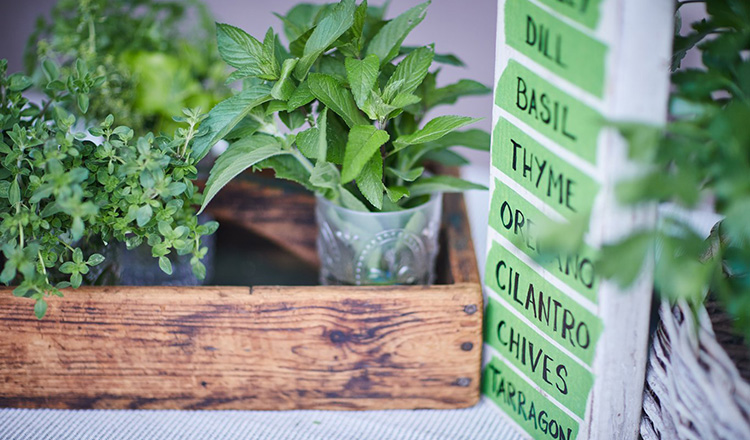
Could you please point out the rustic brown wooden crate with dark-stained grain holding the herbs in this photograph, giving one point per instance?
(261, 347)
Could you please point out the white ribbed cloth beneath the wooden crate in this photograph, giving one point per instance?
(480, 422)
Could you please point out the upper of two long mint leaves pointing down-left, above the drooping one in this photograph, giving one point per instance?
(226, 115)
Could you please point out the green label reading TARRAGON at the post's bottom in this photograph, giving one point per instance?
(525, 405)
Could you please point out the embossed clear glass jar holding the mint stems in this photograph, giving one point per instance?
(378, 248)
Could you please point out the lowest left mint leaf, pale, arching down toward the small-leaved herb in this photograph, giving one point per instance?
(240, 156)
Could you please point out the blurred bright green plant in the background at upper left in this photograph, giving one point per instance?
(152, 56)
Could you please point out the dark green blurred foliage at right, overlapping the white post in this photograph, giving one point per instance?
(702, 155)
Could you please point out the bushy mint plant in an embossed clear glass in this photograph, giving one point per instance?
(353, 100)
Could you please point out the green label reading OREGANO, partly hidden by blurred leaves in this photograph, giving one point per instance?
(520, 222)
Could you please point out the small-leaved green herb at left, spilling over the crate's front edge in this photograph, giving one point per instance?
(64, 197)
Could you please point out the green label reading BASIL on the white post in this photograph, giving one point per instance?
(545, 108)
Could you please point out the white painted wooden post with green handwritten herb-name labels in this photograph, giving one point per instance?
(565, 352)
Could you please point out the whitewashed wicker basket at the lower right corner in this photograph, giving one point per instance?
(694, 388)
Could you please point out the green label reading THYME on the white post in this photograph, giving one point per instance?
(568, 190)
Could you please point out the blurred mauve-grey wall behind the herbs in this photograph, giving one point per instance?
(466, 28)
